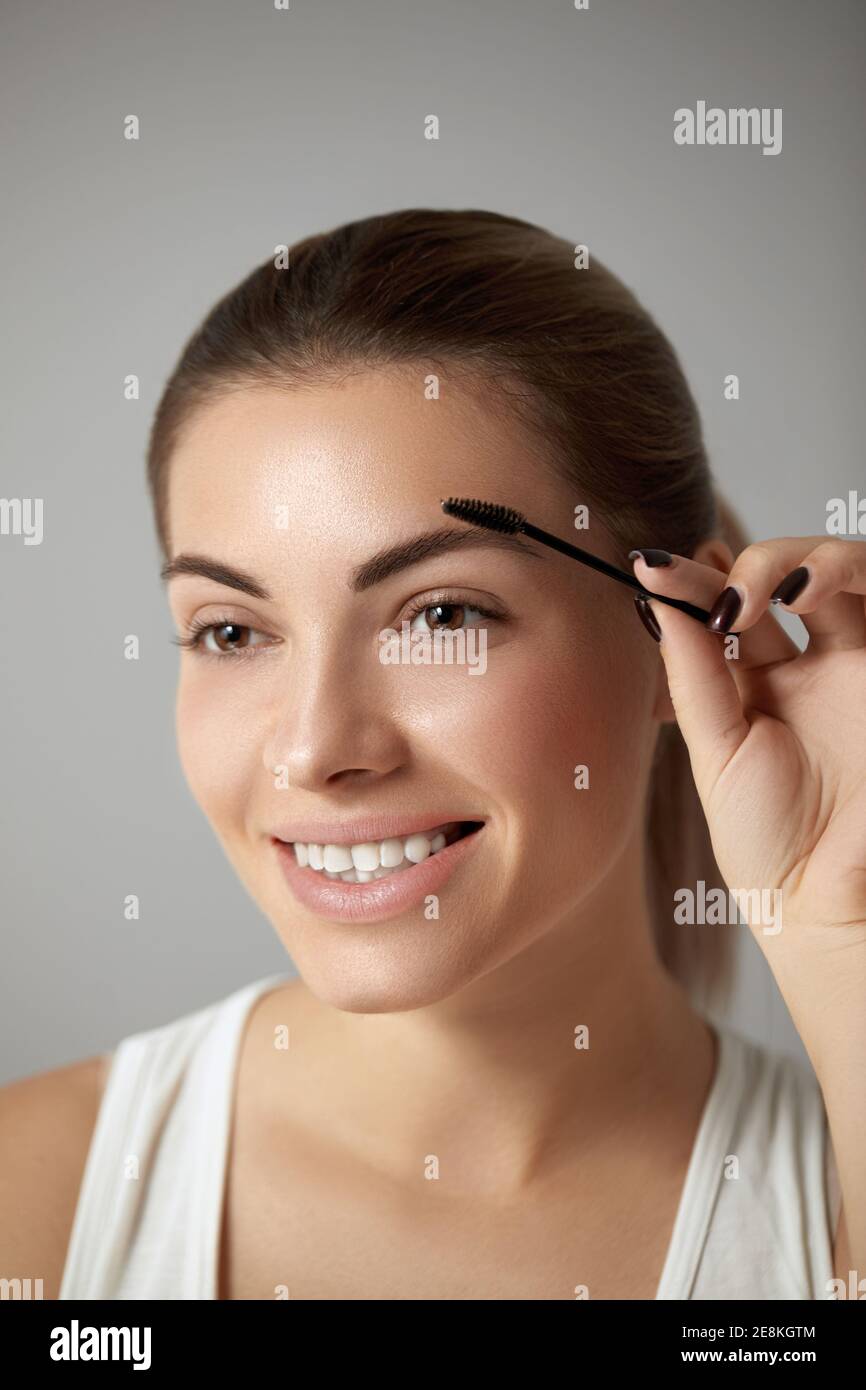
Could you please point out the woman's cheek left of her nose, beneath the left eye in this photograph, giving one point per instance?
(219, 749)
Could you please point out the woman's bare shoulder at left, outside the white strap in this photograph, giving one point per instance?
(47, 1127)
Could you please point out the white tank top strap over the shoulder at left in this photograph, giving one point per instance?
(149, 1207)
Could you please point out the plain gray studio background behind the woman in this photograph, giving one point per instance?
(261, 127)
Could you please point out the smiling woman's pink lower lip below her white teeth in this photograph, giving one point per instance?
(379, 900)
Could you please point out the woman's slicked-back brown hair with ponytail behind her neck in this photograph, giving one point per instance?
(573, 355)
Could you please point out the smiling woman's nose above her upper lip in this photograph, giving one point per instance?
(334, 725)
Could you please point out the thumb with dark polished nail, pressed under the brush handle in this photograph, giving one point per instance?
(703, 692)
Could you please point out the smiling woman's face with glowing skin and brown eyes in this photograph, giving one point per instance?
(293, 729)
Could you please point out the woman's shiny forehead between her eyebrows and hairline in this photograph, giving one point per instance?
(363, 452)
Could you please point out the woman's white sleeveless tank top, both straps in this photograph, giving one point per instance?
(166, 1113)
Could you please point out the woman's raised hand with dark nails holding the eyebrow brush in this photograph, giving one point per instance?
(776, 736)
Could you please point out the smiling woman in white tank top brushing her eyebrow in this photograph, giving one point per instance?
(491, 1078)
